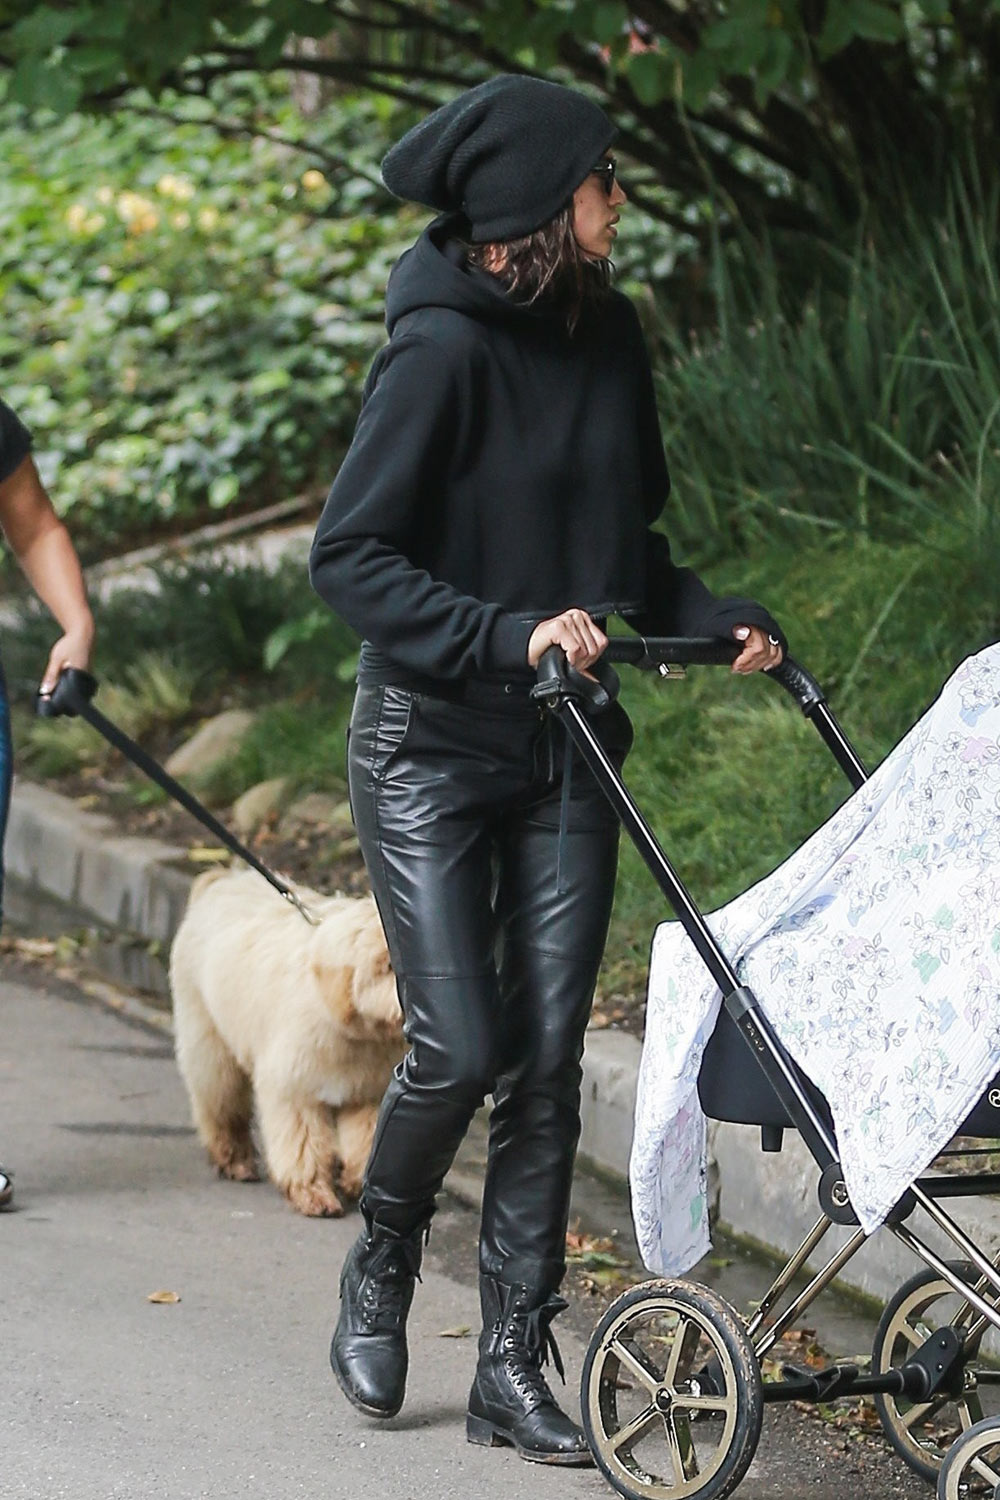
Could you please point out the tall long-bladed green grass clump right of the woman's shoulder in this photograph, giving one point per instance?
(863, 400)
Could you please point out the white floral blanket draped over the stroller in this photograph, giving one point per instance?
(875, 952)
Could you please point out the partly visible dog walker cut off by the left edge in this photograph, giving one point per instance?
(41, 544)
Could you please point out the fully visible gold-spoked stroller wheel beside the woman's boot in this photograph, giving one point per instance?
(671, 1394)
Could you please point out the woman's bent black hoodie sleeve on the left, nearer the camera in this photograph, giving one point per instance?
(385, 490)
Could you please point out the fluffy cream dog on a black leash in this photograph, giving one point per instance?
(301, 1019)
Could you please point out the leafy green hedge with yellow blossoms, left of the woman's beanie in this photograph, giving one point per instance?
(187, 319)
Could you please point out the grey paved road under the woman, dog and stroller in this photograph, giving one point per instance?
(227, 1394)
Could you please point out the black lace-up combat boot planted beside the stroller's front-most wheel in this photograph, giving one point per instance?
(510, 1400)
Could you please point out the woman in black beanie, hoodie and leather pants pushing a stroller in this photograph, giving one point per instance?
(496, 502)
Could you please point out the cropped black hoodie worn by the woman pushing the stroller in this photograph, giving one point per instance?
(501, 472)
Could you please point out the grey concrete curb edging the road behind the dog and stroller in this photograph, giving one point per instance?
(134, 889)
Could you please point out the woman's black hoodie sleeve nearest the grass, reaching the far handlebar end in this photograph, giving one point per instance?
(678, 604)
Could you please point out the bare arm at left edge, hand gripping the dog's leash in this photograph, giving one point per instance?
(43, 547)
